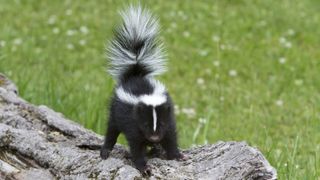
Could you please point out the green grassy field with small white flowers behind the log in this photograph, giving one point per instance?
(240, 70)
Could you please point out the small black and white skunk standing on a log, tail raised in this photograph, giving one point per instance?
(141, 108)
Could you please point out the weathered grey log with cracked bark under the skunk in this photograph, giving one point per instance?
(38, 143)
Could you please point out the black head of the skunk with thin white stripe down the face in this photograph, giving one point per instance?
(153, 120)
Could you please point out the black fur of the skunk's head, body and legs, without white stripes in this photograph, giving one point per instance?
(135, 121)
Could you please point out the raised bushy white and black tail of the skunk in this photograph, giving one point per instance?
(135, 50)
